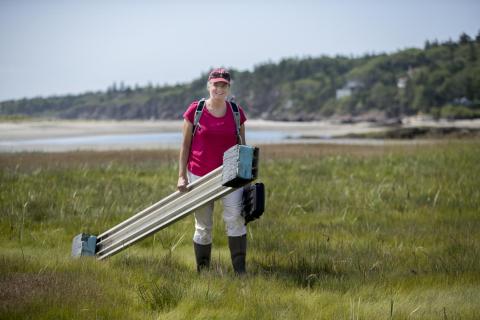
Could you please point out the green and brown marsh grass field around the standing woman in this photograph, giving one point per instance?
(348, 233)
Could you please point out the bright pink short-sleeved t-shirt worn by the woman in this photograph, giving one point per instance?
(213, 137)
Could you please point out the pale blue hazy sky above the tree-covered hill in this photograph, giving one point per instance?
(58, 47)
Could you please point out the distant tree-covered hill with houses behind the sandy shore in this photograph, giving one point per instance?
(442, 80)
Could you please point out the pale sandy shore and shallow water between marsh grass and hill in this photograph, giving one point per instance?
(47, 135)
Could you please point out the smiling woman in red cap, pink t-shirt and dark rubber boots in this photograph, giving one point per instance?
(201, 152)
